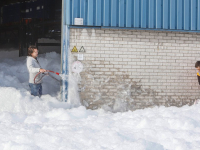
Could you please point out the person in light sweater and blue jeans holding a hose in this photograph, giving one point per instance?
(34, 68)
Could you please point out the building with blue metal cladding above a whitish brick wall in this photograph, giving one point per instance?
(138, 53)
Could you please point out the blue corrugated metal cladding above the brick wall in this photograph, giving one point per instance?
(144, 14)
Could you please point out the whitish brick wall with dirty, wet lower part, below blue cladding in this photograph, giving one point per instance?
(134, 69)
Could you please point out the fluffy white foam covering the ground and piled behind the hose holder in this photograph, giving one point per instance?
(30, 123)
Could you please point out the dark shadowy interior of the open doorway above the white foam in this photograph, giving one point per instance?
(32, 22)
